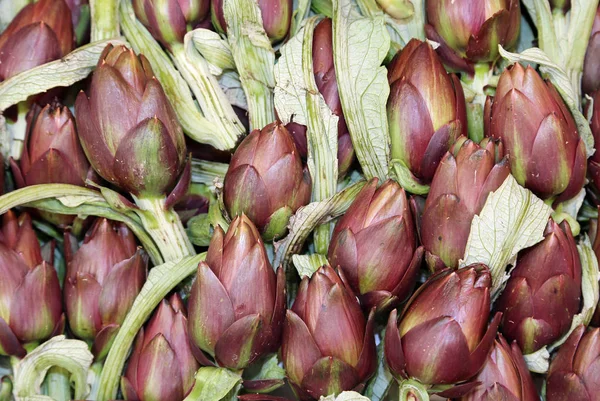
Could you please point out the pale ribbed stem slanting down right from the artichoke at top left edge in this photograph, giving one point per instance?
(211, 98)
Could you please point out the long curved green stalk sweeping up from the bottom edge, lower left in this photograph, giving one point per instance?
(161, 280)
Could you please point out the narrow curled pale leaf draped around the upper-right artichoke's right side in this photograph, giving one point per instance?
(561, 81)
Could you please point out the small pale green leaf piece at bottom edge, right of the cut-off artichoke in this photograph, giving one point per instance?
(213, 384)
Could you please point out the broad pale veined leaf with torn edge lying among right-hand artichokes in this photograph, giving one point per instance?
(513, 218)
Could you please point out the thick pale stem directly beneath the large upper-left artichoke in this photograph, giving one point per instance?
(165, 228)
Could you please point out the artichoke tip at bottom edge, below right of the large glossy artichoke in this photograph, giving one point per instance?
(504, 376)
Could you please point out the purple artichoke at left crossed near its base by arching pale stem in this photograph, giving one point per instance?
(52, 154)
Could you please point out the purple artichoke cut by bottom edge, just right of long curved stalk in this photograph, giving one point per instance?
(162, 365)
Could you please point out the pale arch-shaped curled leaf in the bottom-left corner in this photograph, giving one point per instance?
(72, 355)
